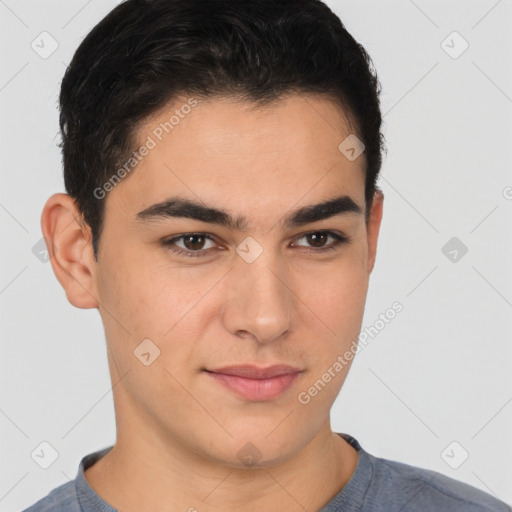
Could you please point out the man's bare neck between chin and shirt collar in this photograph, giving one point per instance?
(145, 474)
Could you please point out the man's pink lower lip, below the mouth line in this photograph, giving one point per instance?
(256, 389)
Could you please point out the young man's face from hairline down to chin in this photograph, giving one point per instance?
(267, 281)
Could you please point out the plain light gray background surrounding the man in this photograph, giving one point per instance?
(439, 372)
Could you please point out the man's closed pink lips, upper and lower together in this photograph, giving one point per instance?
(254, 383)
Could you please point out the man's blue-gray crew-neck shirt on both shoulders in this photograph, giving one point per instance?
(377, 485)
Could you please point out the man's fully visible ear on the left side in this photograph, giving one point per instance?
(69, 243)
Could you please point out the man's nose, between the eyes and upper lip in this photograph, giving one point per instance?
(261, 301)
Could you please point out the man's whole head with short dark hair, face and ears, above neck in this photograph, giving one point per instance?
(224, 119)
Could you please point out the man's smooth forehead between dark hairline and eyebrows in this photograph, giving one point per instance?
(228, 152)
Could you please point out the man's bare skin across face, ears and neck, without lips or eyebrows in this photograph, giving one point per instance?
(179, 433)
